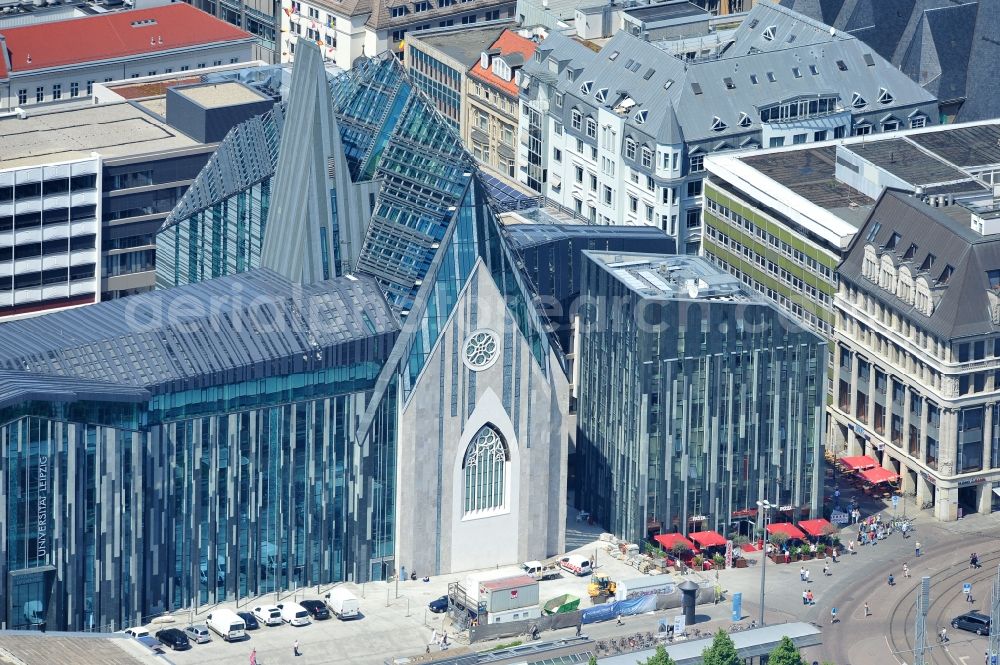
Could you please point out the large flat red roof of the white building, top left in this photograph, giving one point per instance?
(113, 35)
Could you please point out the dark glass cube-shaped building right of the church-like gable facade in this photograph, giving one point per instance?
(696, 399)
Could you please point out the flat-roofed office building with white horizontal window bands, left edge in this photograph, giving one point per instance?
(83, 190)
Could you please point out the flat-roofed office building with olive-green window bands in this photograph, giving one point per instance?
(782, 220)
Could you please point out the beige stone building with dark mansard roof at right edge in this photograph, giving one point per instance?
(918, 350)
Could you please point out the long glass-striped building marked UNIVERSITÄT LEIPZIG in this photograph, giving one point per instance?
(180, 447)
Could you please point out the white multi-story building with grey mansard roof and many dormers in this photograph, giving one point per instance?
(620, 136)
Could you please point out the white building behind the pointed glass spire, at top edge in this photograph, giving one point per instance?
(346, 31)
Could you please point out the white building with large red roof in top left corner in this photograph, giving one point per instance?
(61, 61)
